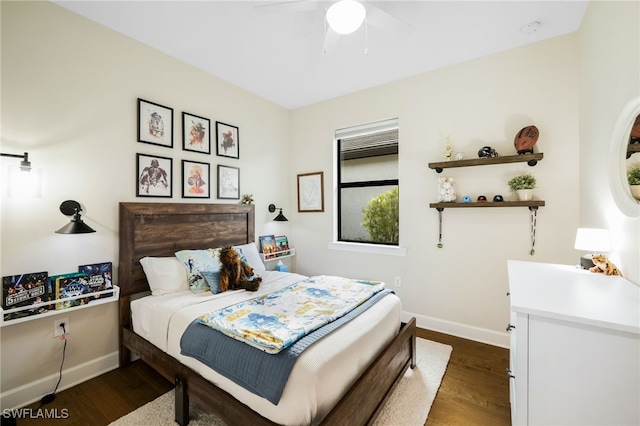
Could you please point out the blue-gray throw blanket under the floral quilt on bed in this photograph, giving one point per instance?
(257, 371)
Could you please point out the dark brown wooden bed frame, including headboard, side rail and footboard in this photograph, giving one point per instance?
(161, 229)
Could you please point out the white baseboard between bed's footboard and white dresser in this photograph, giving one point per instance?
(477, 334)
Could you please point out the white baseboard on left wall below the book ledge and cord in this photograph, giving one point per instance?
(34, 391)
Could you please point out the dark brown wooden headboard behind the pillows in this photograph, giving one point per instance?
(161, 229)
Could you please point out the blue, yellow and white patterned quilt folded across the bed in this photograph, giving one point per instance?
(275, 321)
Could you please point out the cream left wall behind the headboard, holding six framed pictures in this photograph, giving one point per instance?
(69, 90)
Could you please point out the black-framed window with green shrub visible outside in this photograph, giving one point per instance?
(368, 189)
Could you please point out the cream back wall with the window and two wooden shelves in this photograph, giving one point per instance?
(460, 288)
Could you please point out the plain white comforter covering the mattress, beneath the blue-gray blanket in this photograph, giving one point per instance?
(321, 375)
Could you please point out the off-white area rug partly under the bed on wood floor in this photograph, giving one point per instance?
(409, 404)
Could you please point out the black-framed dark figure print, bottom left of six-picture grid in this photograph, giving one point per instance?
(154, 176)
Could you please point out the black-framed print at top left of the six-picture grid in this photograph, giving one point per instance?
(155, 124)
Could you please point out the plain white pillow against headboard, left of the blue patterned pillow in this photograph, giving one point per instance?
(165, 275)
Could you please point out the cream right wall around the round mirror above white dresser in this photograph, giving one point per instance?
(610, 77)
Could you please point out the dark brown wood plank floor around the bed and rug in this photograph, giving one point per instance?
(474, 390)
